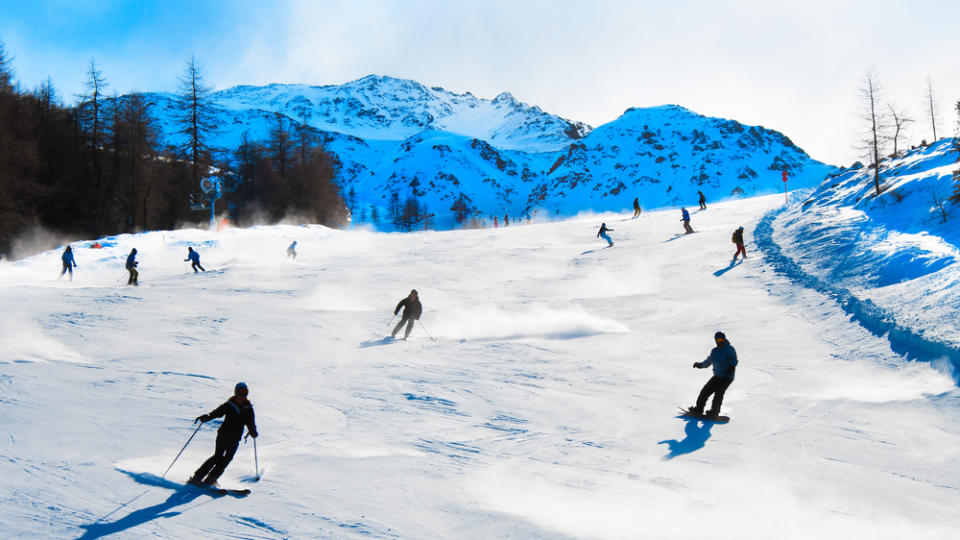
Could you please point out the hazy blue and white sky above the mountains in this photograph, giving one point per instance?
(791, 66)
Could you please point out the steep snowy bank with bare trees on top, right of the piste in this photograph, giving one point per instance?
(895, 250)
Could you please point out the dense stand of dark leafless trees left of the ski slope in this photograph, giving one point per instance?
(99, 167)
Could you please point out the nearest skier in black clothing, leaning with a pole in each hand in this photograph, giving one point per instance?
(237, 412)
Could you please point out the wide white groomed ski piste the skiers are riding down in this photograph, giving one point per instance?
(546, 406)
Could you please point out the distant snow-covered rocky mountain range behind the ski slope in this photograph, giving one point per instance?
(505, 157)
